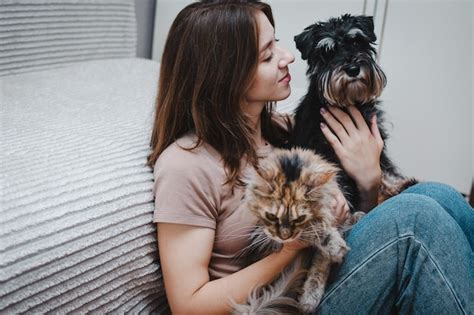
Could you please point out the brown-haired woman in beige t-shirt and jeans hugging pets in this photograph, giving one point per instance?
(221, 71)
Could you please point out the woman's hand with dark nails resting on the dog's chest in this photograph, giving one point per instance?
(357, 147)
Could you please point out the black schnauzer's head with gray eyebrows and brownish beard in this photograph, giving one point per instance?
(341, 58)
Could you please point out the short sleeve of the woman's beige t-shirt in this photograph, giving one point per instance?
(186, 189)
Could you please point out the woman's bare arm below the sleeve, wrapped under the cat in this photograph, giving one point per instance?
(185, 253)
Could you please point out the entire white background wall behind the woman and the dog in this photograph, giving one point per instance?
(427, 56)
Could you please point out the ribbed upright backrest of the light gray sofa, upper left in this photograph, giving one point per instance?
(44, 34)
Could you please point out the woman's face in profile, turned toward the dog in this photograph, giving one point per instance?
(272, 79)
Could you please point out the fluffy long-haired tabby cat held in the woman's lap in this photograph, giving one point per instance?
(290, 193)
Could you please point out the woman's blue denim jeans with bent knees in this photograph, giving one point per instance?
(413, 254)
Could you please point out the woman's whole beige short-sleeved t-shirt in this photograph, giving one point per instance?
(189, 190)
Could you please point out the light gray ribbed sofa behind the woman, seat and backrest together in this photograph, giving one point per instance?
(76, 231)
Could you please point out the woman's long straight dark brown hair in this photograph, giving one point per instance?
(208, 64)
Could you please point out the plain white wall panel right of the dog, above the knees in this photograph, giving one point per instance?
(427, 56)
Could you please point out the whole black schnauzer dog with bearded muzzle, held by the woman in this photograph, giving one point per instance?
(343, 72)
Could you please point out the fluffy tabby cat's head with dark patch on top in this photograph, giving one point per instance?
(289, 190)
